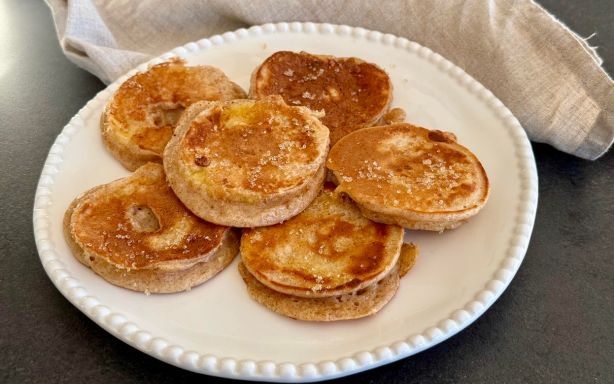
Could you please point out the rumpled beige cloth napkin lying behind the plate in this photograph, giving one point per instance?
(549, 77)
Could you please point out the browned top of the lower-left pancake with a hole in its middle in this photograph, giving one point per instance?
(138, 222)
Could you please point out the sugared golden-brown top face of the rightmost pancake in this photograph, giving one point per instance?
(409, 168)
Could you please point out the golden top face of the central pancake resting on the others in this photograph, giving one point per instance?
(253, 147)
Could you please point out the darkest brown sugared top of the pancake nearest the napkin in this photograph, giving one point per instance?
(352, 93)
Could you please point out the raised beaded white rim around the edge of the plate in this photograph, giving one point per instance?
(287, 371)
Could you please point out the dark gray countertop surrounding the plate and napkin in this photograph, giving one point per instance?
(553, 324)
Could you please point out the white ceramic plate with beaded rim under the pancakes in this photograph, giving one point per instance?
(216, 328)
